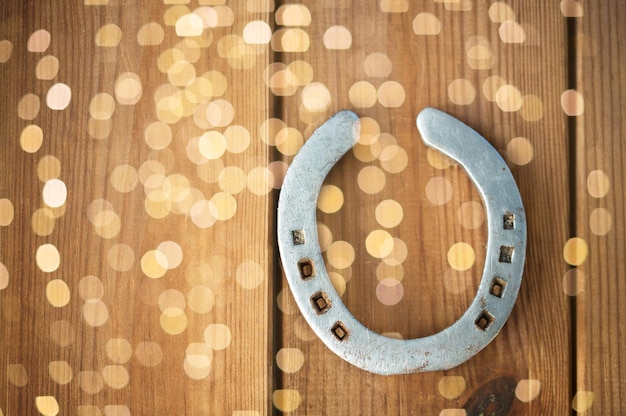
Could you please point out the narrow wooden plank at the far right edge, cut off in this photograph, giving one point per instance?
(601, 331)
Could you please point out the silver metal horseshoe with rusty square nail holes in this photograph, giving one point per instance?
(313, 291)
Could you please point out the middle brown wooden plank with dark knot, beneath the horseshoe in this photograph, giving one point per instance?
(449, 69)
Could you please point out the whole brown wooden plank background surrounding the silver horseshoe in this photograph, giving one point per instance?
(142, 150)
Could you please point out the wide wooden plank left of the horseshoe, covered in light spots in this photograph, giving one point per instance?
(123, 324)
